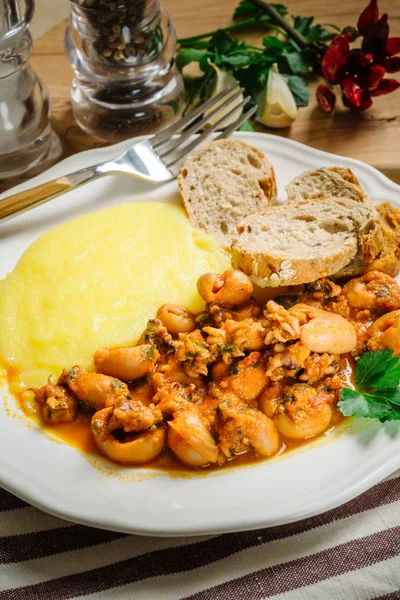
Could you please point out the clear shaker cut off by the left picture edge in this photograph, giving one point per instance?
(28, 144)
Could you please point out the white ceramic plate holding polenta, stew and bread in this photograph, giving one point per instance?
(57, 478)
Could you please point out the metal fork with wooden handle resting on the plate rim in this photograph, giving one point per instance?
(155, 160)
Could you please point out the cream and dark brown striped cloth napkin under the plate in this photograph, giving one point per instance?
(351, 552)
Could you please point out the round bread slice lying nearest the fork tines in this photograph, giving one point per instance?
(222, 183)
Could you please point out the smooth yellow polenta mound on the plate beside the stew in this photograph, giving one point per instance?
(94, 282)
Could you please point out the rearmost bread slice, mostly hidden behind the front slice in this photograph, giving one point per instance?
(339, 182)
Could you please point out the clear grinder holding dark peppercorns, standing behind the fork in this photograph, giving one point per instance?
(126, 83)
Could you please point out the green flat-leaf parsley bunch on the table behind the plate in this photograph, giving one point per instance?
(251, 65)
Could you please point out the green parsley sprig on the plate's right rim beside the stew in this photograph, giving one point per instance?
(377, 394)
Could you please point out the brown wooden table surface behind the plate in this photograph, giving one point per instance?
(372, 136)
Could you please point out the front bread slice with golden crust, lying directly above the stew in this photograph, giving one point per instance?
(299, 243)
